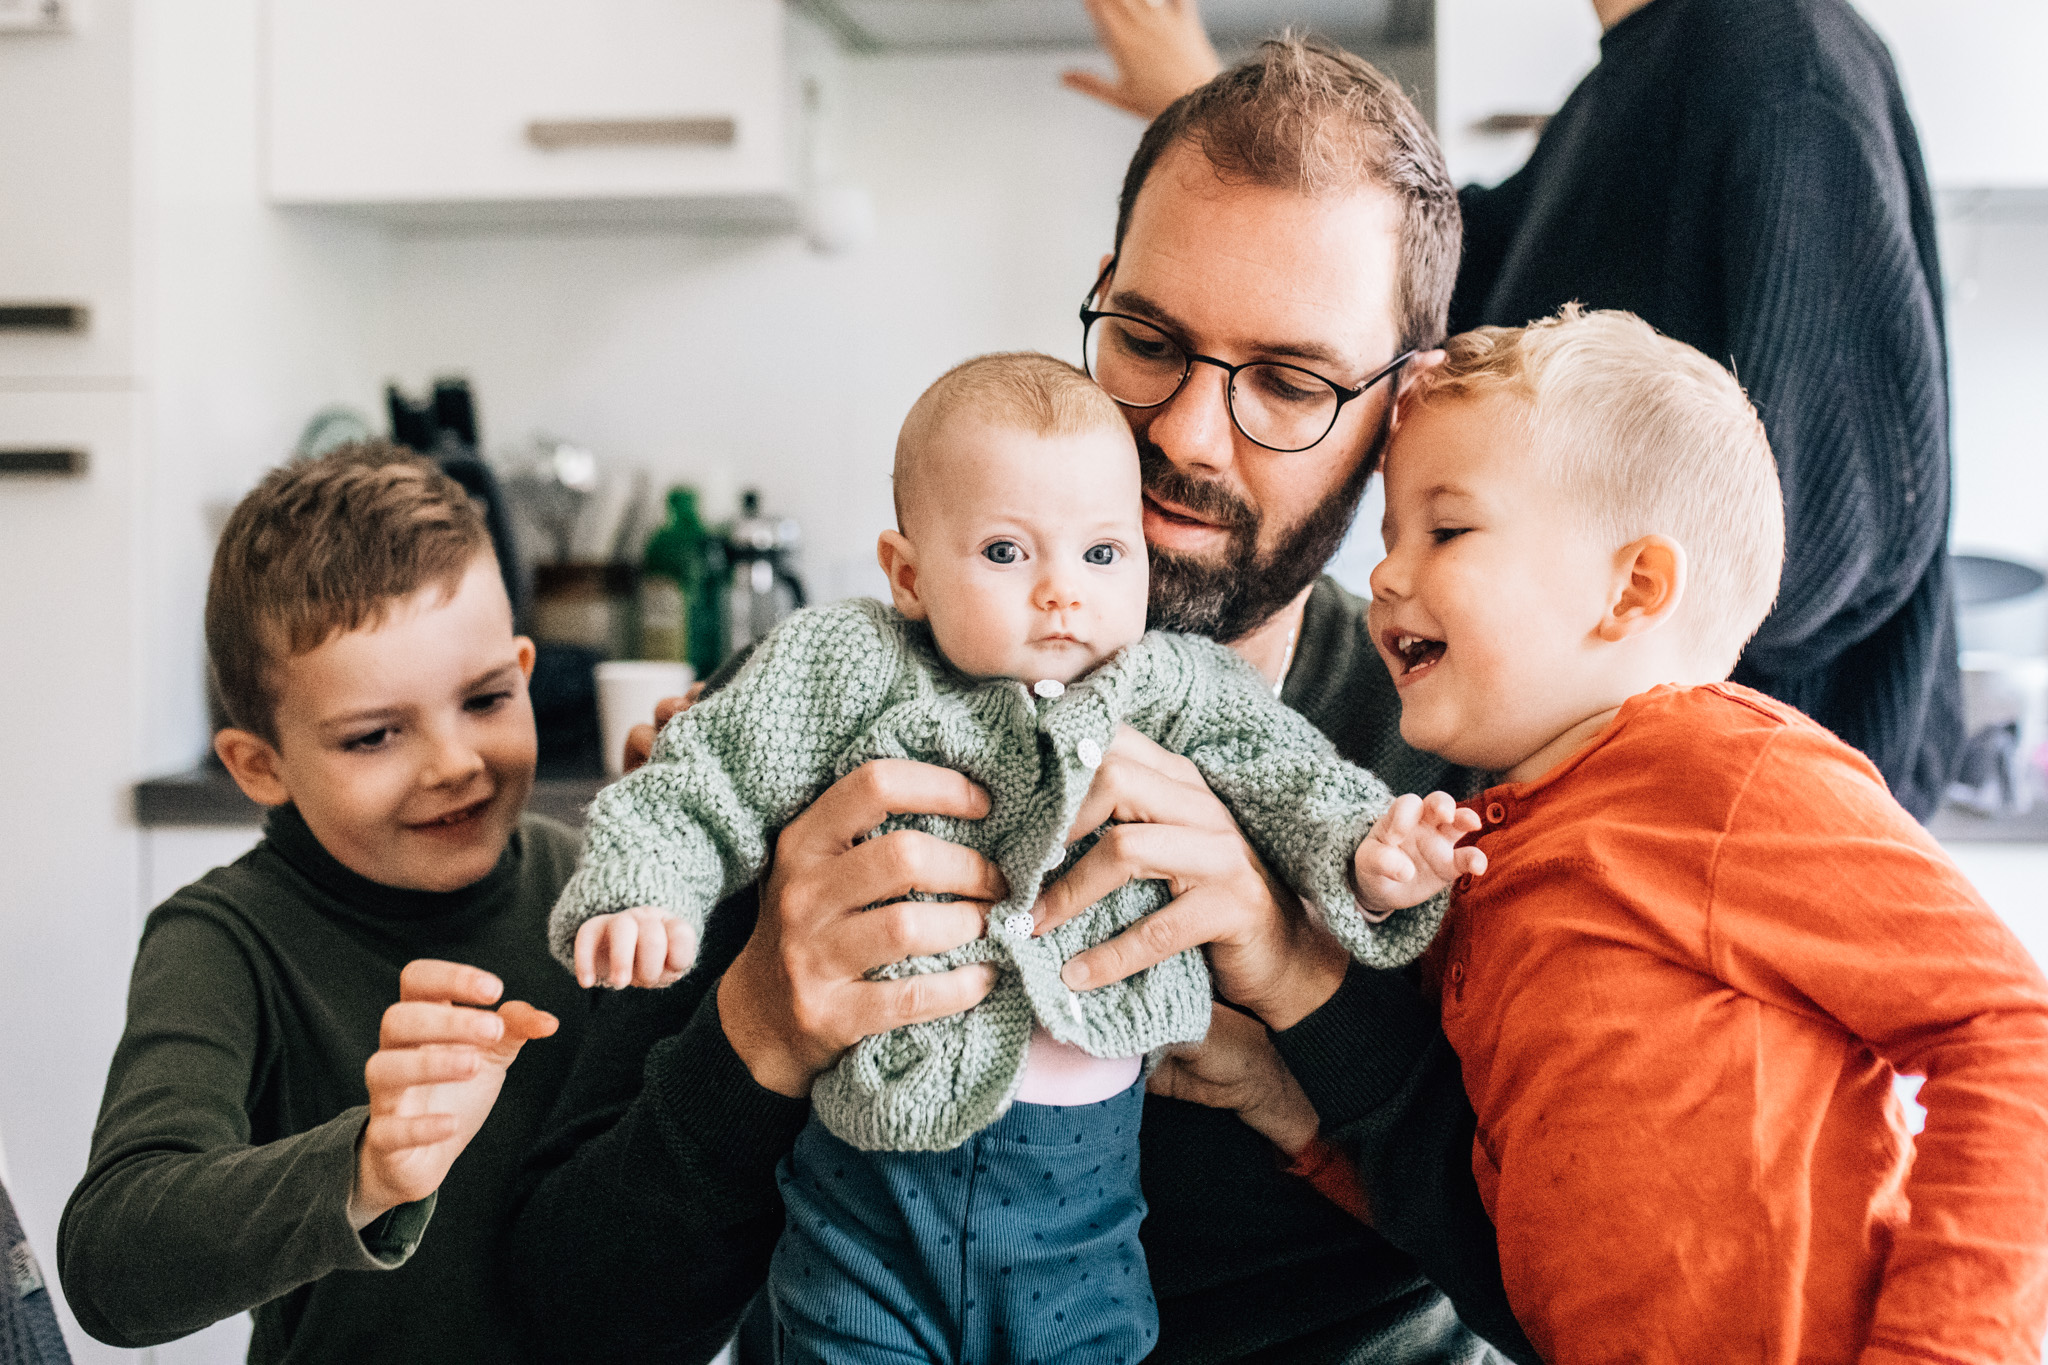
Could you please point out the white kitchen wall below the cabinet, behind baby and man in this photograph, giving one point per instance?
(755, 361)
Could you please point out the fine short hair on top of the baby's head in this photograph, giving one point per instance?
(1023, 390)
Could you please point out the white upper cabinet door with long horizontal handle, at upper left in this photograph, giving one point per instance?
(505, 101)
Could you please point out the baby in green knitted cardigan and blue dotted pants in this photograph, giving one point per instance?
(968, 1190)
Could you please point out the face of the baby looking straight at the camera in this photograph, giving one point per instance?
(1029, 552)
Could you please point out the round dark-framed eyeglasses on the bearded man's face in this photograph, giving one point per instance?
(1275, 404)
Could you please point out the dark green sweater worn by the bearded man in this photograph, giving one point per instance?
(654, 1204)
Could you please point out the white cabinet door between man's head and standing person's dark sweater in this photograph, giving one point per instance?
(1502, 67)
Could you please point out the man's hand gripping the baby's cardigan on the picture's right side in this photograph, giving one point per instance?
(1263, 949)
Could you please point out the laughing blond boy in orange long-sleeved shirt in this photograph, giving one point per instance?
(1709, 938)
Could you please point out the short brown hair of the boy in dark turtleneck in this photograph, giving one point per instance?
(323, 547)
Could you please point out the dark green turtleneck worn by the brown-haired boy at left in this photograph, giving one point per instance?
(226, 1143)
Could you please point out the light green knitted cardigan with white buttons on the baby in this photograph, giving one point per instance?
(845, 685)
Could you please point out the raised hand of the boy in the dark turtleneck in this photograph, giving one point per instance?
(433, 1080)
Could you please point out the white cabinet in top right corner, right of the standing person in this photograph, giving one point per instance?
(1973, 77)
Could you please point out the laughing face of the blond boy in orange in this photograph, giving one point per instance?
(1488, 603)
